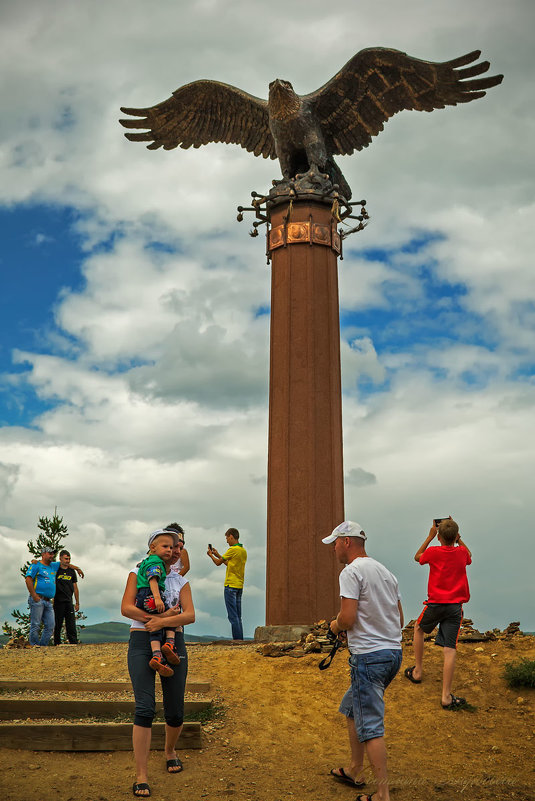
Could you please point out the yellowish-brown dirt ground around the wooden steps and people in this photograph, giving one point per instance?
(280, 733)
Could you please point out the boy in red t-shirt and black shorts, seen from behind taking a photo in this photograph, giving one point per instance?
(447, 590)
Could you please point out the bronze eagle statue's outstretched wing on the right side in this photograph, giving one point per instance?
(378, 82)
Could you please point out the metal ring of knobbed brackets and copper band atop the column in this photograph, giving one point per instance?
(291, 233)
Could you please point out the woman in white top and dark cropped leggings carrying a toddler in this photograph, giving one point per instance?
(181, 613)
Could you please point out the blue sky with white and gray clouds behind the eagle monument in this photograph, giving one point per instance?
(135, 310)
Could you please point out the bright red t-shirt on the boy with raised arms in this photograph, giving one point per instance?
(448, 583)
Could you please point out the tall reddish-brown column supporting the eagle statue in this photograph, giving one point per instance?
(305, 465)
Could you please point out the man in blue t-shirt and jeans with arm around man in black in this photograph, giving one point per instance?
(41, 583)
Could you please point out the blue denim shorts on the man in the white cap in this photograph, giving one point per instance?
(370, 676)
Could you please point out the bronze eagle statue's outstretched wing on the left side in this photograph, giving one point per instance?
(203, 112)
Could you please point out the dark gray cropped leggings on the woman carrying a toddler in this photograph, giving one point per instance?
(143, 676)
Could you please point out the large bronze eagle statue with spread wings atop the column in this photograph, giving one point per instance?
(305, 132)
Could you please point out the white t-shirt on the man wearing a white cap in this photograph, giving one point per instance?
(377, 625)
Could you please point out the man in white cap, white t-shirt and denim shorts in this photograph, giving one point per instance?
(372, 616)
